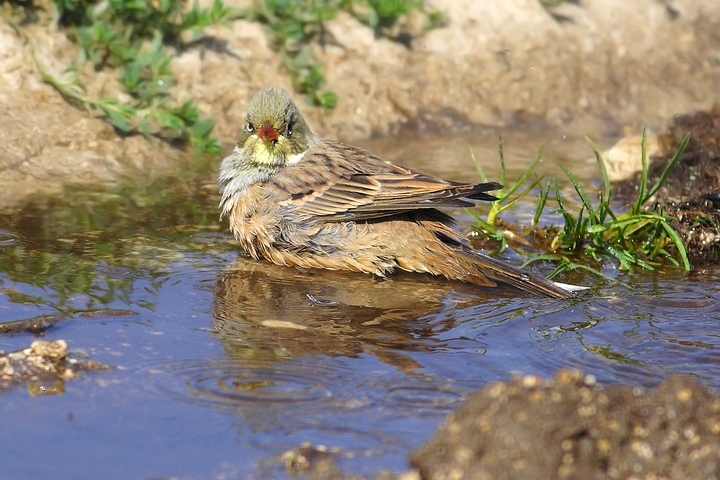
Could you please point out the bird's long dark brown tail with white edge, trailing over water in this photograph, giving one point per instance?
(495, 270)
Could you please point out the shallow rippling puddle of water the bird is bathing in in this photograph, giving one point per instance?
(224, 363)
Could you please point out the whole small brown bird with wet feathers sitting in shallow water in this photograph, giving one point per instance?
(299, 200)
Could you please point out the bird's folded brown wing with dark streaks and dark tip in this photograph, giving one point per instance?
(339, 182)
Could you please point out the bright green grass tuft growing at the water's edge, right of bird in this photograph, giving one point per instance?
(639, 237)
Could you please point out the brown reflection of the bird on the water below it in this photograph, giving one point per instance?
(274, 312)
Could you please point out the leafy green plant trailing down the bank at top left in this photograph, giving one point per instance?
(136, 37)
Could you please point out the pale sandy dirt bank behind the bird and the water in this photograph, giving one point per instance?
(593, 66)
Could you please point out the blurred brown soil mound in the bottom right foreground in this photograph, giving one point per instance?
(568, 428)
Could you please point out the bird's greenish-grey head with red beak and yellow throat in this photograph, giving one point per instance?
(275, 134)
